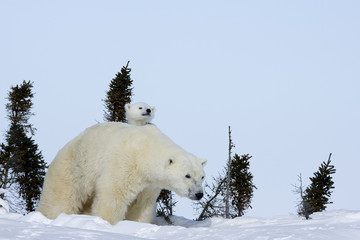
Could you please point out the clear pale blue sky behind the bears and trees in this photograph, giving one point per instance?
(283, 74)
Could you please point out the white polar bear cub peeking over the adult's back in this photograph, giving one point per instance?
(139, 114)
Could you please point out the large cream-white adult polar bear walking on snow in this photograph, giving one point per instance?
(116, 171)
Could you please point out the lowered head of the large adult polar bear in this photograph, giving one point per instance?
(186, 175)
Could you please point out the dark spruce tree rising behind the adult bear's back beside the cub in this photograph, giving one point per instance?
(119, 94)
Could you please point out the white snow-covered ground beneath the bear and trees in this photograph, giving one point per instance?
(331, 225)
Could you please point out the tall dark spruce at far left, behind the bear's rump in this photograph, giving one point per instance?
(20, 158)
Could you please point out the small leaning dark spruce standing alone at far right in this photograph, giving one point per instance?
(318, 193)
